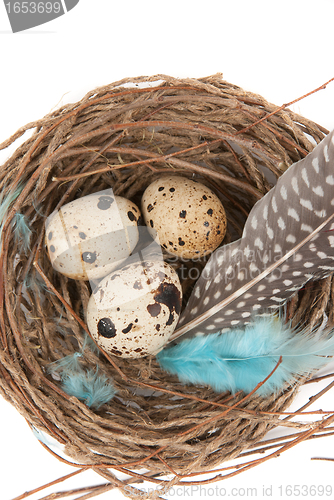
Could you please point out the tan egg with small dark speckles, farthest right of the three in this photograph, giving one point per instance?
(188, 217)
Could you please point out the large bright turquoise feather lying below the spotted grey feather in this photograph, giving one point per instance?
(241, 358)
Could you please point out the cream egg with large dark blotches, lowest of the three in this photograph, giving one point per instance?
(134, 311)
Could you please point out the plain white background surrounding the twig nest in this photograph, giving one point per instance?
(281, 50)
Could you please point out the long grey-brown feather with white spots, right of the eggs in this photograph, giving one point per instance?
(300, 202)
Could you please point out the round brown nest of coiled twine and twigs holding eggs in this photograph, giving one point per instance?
(124, 136)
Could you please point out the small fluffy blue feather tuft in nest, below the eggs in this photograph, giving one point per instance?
(90, 387)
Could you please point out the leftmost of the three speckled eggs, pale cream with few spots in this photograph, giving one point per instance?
(90, 236)
